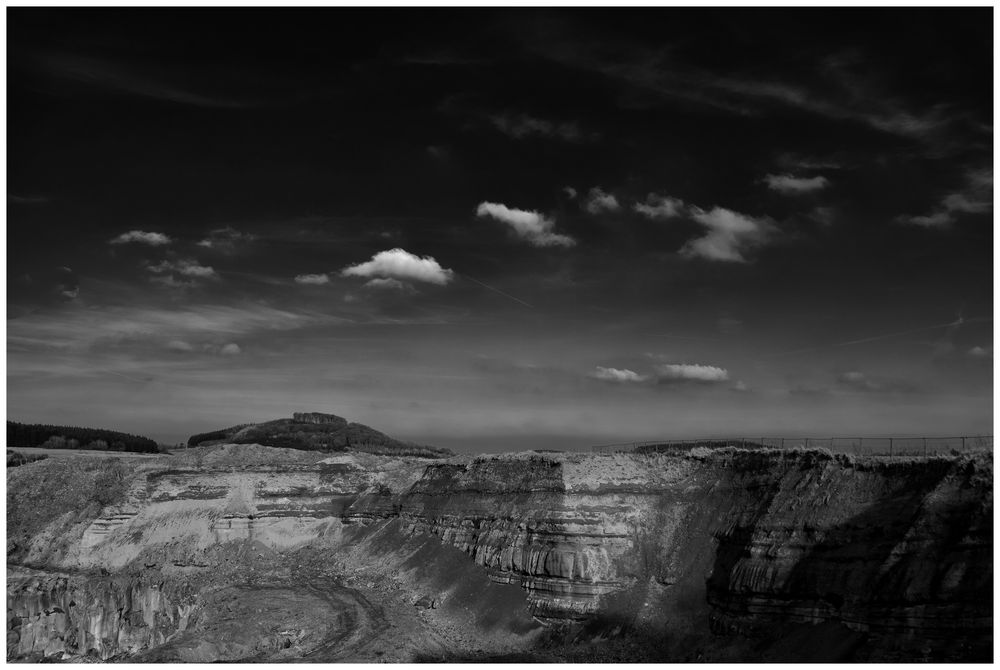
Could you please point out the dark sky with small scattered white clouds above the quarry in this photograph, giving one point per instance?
(501, 229)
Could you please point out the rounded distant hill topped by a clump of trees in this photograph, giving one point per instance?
(314, 431)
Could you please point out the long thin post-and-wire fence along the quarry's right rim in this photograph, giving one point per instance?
(872, 446)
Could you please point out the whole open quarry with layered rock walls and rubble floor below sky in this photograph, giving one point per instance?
(243, 552)
